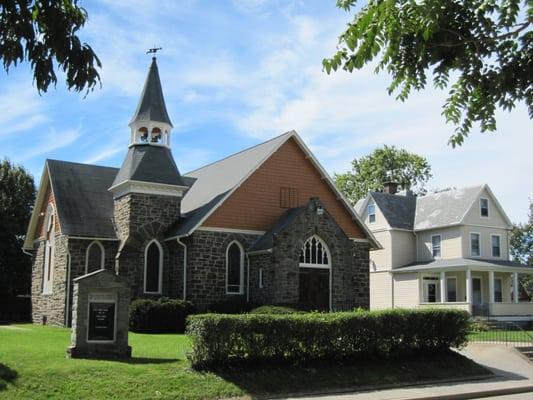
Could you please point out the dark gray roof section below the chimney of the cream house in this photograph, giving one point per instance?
(398, 210)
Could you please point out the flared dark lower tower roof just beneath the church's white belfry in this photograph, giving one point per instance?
(147, 163)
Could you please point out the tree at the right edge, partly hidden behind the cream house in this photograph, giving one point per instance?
(522, 249)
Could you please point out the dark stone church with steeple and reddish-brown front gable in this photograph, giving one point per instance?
(265, 225)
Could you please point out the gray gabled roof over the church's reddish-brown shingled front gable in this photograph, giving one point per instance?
(217, 181)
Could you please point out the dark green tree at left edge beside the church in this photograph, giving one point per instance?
(17, 194)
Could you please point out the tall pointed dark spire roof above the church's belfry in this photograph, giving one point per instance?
(151, 106)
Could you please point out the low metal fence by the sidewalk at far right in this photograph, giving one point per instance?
(507, 333)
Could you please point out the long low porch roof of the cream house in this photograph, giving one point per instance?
(448, 263)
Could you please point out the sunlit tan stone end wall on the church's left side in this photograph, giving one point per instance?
(50, 307)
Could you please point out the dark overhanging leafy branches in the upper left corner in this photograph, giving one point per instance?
(44, 33)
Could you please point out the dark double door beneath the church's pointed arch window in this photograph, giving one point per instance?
(314, 288)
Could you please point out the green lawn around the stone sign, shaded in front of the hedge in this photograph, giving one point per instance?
(33, 365)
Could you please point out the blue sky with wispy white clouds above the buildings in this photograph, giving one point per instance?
(235, 73)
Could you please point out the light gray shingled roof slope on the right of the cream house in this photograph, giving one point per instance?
(444, 208)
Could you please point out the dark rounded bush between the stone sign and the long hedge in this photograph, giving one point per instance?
(159, 316)
